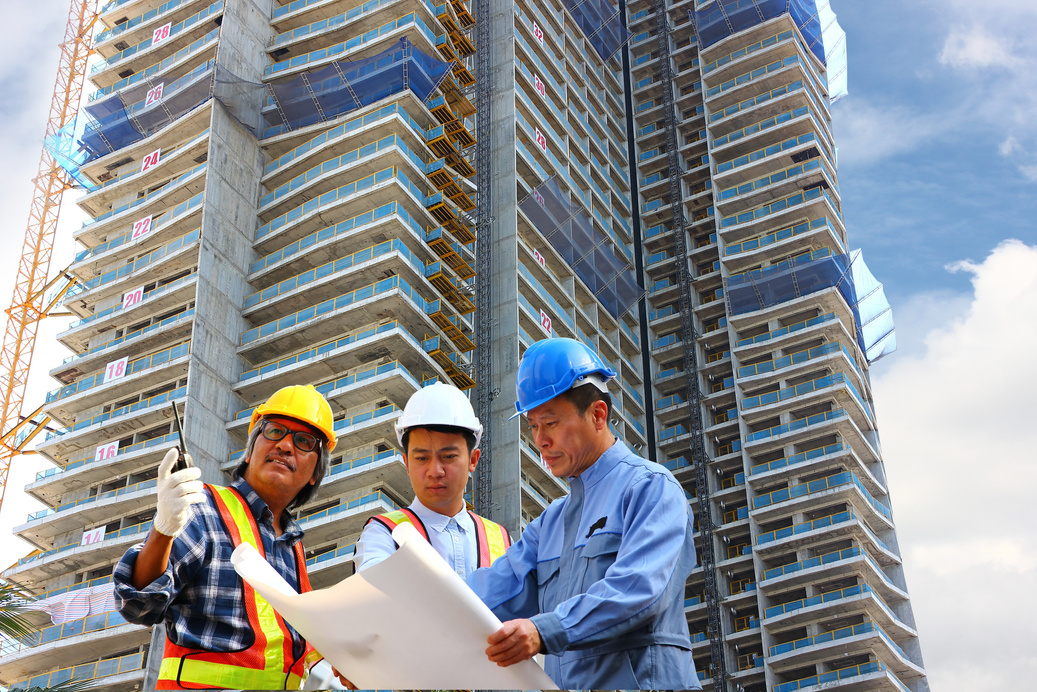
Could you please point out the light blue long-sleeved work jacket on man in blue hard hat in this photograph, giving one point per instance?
(602, 574)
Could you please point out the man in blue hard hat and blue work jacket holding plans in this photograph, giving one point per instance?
(597, 583)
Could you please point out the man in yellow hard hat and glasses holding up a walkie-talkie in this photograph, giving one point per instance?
(219, 633)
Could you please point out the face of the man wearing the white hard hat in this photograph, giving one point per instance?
(439, 465)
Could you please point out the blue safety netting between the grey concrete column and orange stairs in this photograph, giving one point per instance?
(329, 92)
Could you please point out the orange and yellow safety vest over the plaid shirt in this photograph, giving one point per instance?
(269, 663)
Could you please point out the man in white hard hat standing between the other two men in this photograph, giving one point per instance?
(439, 434)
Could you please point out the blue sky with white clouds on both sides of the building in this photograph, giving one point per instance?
(938, 171)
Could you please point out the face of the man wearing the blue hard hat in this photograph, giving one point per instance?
(567, 440)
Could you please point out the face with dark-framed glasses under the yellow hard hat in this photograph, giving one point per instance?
(278, 470)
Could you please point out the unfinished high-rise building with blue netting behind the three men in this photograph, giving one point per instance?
(374, 197)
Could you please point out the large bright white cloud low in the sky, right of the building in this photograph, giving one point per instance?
(958, 430)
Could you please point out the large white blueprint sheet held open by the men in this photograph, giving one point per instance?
(407, 623)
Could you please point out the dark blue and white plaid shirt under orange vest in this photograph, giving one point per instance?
(201, 597)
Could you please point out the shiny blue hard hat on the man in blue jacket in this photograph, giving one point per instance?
(552, 367)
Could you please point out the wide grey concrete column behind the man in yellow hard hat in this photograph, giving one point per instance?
(229, 225)
